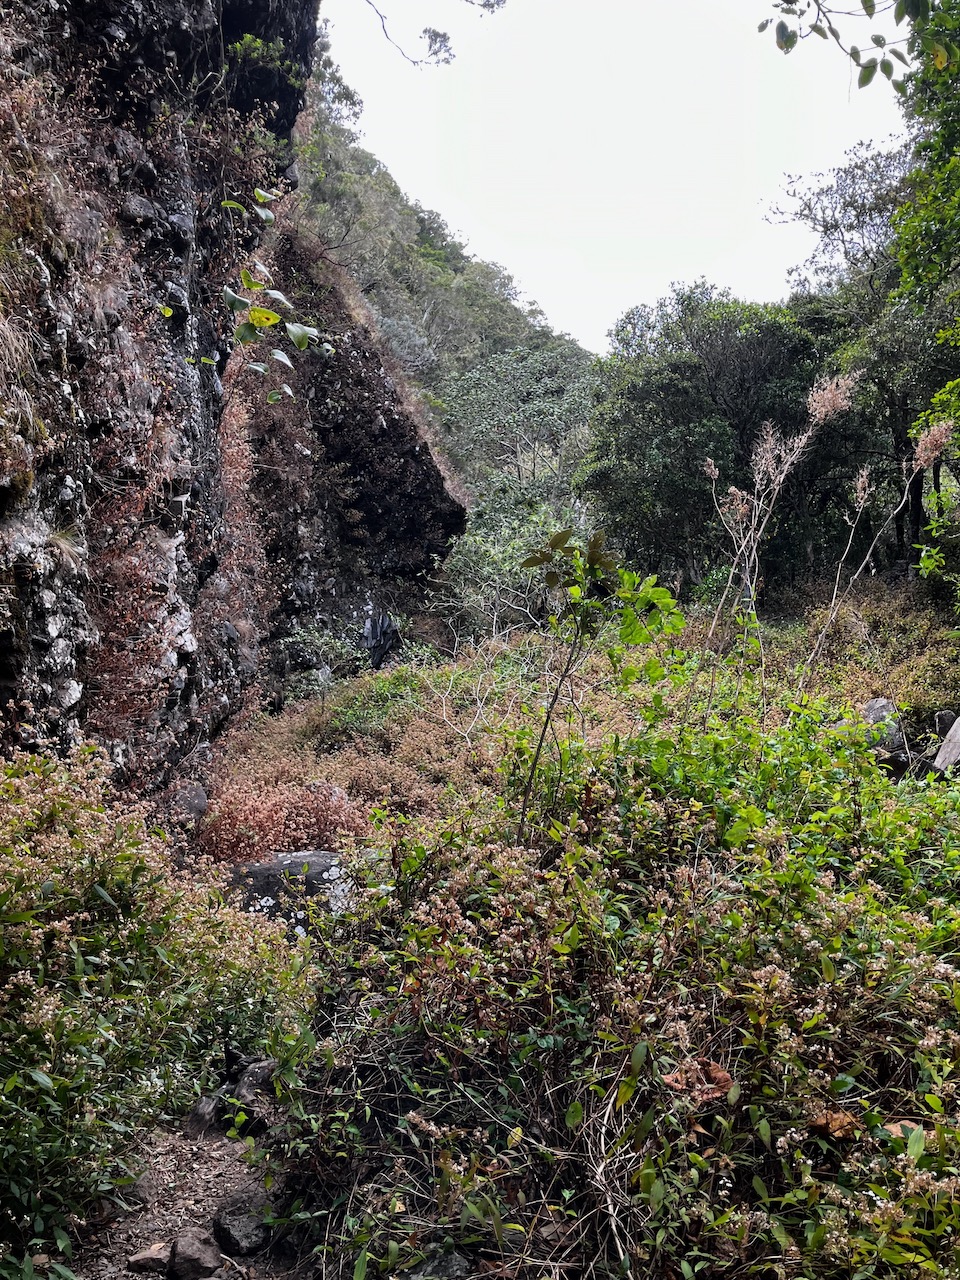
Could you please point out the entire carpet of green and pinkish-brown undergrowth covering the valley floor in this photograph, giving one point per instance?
(668, 990)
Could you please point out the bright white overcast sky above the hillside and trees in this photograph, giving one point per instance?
(604, 149)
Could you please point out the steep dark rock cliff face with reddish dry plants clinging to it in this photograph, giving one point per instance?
(161, 523)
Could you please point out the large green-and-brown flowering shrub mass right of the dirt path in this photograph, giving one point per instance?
(702, 1022)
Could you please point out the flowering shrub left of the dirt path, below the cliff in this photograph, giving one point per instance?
(120, 984)
